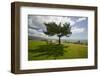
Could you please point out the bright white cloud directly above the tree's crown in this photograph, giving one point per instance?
(57, 19)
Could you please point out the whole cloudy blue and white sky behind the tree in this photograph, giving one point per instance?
(79, 26)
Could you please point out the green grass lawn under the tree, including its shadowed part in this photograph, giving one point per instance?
(40, 50)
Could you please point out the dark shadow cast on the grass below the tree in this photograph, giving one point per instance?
(49, 50)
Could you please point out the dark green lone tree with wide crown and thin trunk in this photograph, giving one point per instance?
(60, 31)
